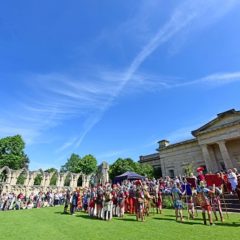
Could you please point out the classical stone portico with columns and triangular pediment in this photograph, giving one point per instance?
(220, 141)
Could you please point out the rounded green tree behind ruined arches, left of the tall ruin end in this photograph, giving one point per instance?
(76, 164)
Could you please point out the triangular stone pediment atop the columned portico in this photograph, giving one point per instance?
(224, 119)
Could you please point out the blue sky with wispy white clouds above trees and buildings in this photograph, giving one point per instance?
(112, 77)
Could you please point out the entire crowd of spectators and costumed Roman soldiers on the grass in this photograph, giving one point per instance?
(138, 197)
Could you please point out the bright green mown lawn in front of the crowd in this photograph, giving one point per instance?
(50, 223)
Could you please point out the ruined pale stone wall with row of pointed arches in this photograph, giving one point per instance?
(9, 184)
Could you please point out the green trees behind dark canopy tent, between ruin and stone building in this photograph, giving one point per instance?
(127, 164)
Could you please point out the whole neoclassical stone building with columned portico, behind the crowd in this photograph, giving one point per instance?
(216, 146)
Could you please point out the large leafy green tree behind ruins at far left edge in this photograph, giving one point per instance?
(12, 153)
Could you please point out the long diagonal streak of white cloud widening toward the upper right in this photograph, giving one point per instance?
(183, 17)
